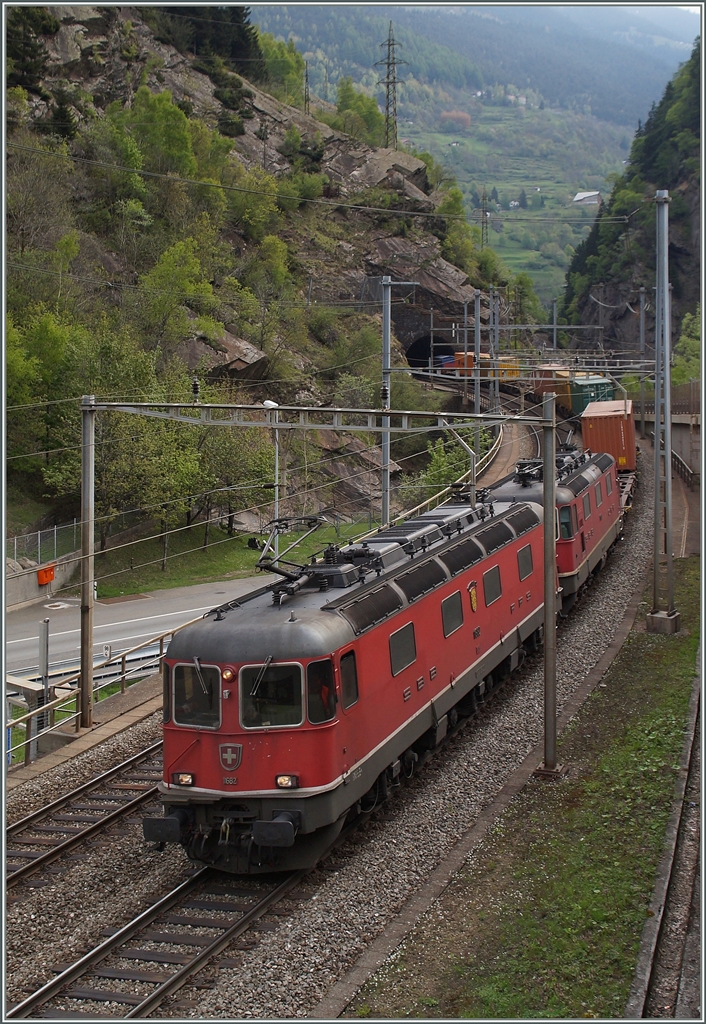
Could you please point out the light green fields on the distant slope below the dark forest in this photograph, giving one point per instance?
(551, 155)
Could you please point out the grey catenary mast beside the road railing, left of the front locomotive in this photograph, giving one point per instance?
(88, 537)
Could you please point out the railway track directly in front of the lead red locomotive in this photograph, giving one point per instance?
(146, 962)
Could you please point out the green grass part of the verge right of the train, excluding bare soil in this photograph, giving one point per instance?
(589, 848)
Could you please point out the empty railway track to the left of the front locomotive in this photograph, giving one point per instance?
(41, 838)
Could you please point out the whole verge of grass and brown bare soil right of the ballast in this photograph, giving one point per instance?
(547, 921)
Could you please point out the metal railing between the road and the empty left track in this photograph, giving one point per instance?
(68, 705)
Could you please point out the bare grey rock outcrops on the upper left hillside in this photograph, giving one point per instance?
(108, 53)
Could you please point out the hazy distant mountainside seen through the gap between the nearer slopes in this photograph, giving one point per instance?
(530, 104)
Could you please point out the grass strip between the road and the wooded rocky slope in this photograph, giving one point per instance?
(138, 569)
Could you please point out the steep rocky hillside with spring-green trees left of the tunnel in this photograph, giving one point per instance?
(168, 217)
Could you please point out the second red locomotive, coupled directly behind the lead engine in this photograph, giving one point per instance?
(590, 516)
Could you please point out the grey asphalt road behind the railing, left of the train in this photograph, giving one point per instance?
(123, 622)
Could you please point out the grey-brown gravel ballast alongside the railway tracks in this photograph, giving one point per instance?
(364, 885)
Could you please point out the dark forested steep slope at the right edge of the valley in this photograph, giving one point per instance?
(666, 155)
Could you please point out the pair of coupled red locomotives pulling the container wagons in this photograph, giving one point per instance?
(301, 707)
